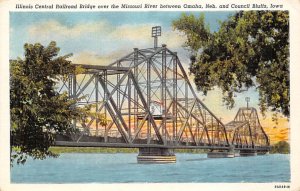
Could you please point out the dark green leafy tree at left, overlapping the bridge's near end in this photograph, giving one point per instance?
(37, 110)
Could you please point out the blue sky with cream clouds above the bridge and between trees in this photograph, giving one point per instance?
(102, 37)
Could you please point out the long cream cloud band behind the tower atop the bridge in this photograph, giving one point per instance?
(102, 32)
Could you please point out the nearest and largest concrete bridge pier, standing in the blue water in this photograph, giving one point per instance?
(156, 155)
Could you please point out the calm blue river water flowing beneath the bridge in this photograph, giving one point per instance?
(123, 168)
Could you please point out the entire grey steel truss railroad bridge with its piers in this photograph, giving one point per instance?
(150, 104)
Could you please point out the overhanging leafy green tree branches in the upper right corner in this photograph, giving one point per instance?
(250, 49)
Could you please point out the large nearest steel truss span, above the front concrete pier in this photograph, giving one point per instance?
(147, 99)
